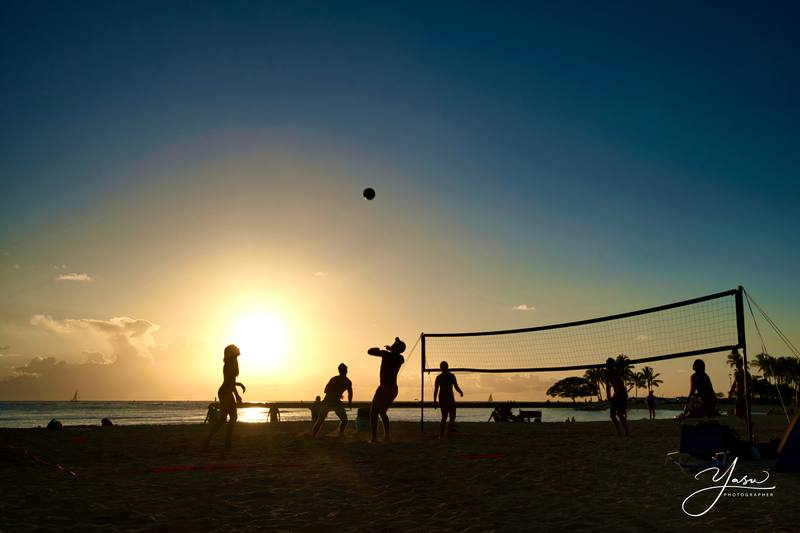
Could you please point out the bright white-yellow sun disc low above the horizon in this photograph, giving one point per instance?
(262, 339)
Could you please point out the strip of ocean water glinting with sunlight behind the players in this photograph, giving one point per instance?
(33, 414)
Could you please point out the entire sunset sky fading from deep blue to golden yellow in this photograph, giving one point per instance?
(179, 176)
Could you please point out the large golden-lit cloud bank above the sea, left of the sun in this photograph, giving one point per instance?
(134, 367)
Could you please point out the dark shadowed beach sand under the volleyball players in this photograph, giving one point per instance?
(508, 477)
